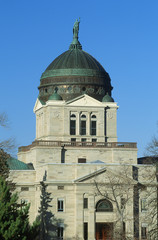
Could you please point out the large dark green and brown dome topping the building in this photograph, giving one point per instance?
(75, 72)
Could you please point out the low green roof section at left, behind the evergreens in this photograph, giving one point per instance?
(15, 164)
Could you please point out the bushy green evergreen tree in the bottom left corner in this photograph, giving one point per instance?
(14, 217)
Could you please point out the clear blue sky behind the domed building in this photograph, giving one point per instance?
(121, 34)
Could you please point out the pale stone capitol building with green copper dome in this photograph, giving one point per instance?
(98, 190)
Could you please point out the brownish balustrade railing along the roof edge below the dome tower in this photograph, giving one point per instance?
(45, 143)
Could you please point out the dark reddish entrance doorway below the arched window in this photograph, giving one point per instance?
(104, 231)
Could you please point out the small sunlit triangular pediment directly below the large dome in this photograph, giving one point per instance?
(84, 100)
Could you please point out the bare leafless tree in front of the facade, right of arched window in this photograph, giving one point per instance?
(118, 188)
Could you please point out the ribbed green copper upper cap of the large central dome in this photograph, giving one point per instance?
(75, 62)
